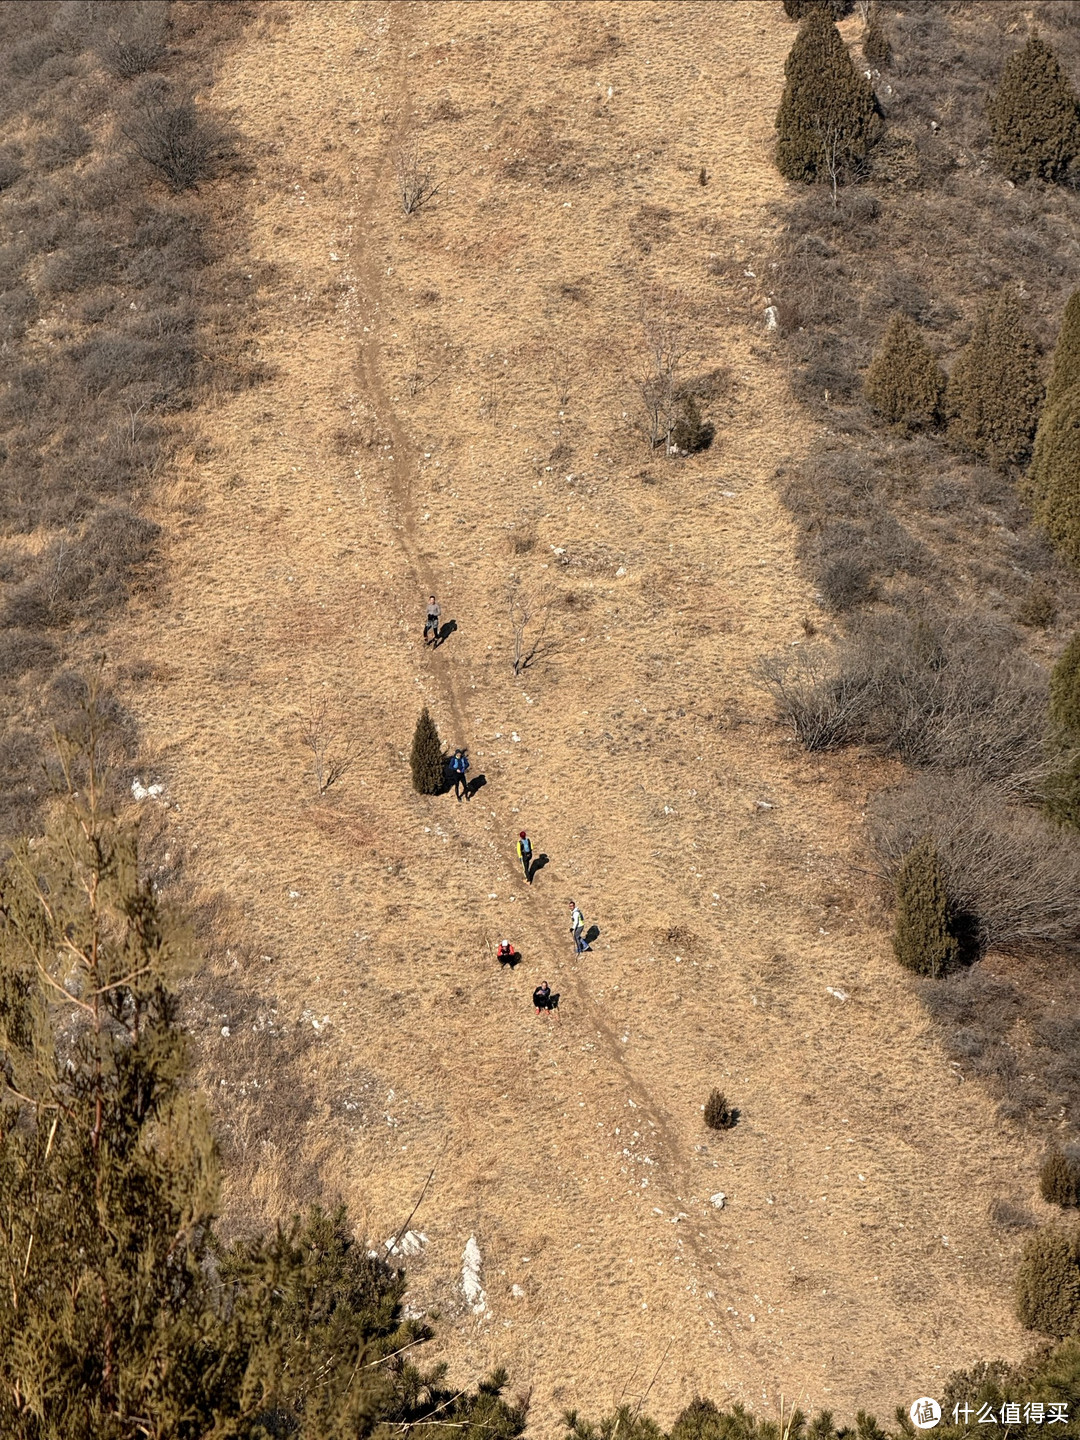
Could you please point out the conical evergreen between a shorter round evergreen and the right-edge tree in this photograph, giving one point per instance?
(996, 387)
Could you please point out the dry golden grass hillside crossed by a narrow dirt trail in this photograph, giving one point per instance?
(454, 408)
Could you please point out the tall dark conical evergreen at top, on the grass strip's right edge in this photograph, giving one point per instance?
(829, 116)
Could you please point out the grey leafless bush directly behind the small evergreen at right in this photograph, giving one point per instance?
(1006, 868)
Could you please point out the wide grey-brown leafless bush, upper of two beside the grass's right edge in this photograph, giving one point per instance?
(940, 699)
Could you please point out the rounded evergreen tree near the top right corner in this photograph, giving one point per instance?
(1033, 116)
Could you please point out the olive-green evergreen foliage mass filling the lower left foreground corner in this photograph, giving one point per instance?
(120, 1314)
